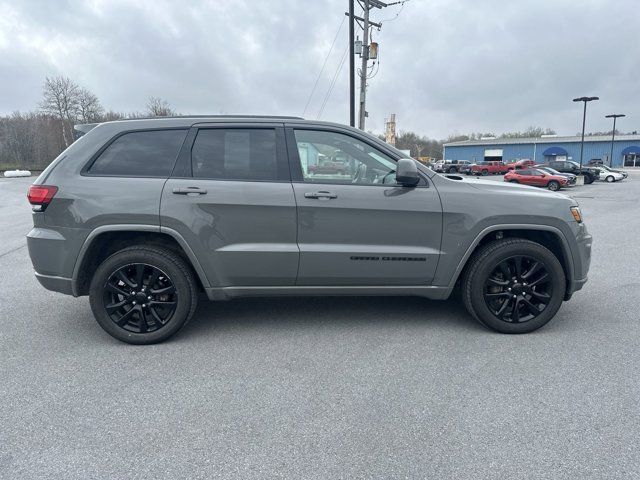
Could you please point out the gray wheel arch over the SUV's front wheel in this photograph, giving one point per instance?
(546, 235)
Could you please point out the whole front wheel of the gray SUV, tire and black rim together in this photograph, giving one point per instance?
(488, 260)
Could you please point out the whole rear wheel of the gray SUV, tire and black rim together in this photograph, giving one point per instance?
(174, 297)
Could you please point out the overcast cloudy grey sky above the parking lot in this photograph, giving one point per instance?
(446, 66)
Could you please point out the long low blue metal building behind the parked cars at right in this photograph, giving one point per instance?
(626, 149)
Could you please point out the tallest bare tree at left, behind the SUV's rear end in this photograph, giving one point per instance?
(60, 98)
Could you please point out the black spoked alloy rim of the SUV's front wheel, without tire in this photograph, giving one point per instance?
(518, 289)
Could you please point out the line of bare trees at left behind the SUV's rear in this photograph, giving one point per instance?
(31, 140)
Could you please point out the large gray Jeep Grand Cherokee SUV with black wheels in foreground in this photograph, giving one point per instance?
(144, 215)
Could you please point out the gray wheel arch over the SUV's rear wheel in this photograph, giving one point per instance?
(106, 240)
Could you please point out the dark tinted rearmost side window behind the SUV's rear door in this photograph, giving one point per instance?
(150, 154)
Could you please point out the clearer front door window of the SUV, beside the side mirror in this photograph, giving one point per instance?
(330, 157)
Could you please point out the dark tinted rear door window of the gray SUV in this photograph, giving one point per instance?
(236, 154)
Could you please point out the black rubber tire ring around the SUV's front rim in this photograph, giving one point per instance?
(489, 263)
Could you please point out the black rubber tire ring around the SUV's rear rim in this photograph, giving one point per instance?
(150, 257)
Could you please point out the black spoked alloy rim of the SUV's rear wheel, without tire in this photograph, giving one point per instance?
(140, 298)
